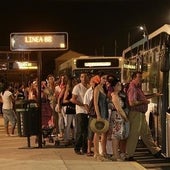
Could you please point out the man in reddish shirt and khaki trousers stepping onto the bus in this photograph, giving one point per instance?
(138, 125)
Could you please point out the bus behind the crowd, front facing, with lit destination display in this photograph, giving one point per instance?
(92, 65)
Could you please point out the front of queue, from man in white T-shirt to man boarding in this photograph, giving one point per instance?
(115, 107)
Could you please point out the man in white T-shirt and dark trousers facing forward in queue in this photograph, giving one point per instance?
(78, 93)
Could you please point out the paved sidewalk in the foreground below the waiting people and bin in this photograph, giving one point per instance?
(16, 155)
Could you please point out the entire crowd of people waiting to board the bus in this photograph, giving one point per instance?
(74, 104)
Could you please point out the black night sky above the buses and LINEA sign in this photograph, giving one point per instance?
(93, 26)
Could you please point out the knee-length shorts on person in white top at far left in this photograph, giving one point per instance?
(9, 116)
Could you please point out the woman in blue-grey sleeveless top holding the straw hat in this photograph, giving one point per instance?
(101, 109)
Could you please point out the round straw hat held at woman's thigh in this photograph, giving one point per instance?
(99, 126)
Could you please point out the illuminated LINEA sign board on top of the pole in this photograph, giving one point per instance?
(39, 41)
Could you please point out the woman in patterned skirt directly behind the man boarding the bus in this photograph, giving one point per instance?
(117, 118)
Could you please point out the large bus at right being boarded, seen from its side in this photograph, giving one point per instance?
(151, 55)
